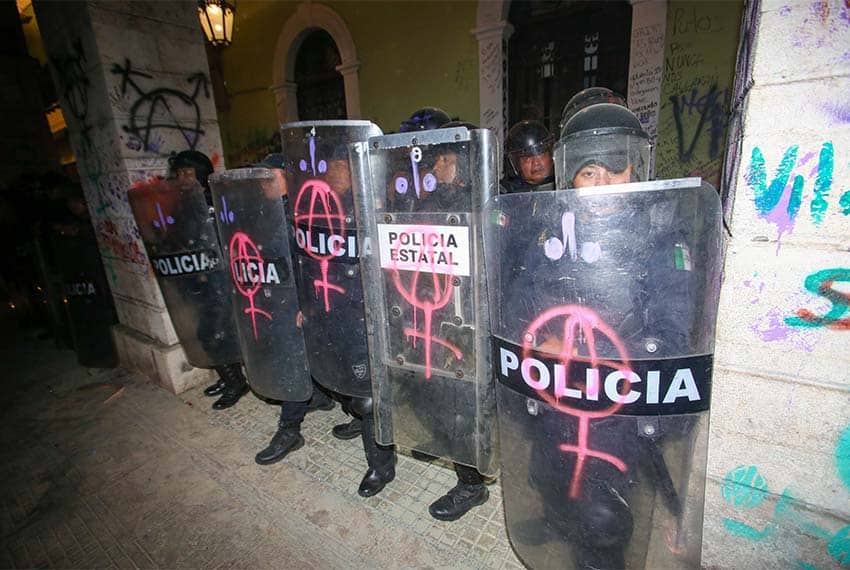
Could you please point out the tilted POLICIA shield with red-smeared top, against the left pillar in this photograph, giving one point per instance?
(179, 234)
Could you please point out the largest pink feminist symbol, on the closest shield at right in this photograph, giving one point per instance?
(580, 322)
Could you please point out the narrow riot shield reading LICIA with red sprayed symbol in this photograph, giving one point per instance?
(255, 238)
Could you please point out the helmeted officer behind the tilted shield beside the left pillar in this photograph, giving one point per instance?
(191, 166)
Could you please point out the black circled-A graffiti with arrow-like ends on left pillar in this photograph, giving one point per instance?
(159, 110)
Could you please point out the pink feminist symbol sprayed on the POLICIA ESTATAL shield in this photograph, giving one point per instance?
(441, 288)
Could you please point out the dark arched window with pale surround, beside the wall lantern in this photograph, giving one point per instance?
(321, 88)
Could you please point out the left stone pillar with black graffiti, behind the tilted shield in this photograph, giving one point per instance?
(132, 78)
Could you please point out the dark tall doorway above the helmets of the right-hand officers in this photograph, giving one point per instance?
(560, 48)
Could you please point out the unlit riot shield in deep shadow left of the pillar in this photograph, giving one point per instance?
(87, 299)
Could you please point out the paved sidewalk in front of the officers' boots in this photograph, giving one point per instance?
(101, 468)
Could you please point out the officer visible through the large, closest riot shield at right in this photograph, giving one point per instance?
(604, 144)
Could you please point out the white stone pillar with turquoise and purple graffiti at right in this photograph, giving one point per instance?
(779, 453)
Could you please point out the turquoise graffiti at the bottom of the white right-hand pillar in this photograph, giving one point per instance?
(744, 488)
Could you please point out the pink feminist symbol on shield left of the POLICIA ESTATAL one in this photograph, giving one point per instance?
(324, 206)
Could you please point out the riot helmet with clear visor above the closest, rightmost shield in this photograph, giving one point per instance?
(605, 135)
